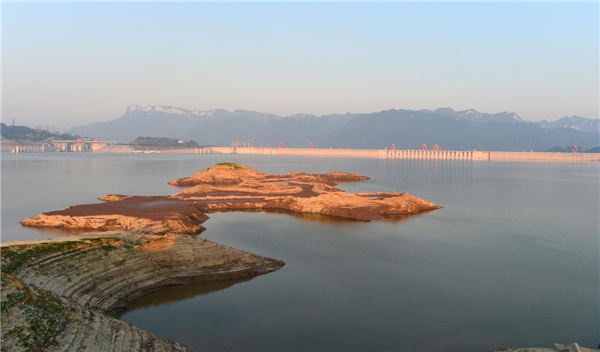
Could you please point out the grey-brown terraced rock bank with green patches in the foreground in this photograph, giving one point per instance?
(59, 295)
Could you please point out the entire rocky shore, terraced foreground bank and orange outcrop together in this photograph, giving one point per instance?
(62, 294)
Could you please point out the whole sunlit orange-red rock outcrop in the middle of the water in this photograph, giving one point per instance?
(229, 186)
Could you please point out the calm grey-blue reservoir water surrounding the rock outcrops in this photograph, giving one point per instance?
(512, 259)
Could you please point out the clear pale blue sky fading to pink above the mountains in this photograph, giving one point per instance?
(66, 64)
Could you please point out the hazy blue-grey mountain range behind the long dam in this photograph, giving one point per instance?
(457, 130)
